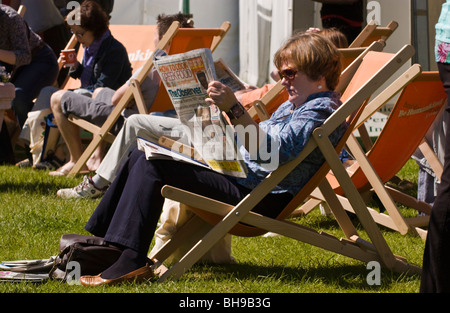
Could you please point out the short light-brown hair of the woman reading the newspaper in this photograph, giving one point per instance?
(313, 55)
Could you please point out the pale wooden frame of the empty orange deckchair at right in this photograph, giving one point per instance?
(388, 195)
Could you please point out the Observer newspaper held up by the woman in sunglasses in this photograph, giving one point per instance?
(186, 77)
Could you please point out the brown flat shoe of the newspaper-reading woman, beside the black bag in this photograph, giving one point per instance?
(142, 274)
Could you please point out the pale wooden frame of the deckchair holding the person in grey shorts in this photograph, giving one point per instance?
(134, 93)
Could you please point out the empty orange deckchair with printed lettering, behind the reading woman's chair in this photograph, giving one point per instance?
(422, 97)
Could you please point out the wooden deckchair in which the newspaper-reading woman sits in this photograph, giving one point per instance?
(241, 221)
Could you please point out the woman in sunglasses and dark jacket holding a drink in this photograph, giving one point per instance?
(105, 62)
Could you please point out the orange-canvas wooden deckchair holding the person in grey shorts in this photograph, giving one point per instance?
(180, 40)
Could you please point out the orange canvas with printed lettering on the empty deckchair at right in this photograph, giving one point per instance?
(411, 117)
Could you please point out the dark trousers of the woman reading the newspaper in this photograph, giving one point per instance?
(130, 209)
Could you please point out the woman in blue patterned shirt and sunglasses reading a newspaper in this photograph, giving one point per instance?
(309, 66)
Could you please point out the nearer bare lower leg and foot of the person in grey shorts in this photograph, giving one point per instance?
(69, 131)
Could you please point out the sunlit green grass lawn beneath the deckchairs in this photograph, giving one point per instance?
(32, 219)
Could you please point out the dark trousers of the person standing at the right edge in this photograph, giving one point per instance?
(436, 260)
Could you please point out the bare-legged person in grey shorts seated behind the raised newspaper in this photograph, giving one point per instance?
(97, 110)
